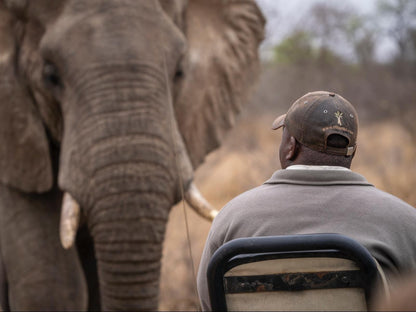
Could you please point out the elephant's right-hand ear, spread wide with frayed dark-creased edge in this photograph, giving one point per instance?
(220, 67)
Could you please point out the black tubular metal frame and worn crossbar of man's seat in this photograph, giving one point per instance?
(248, 250)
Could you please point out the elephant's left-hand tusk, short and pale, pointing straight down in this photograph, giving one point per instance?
(70, 213)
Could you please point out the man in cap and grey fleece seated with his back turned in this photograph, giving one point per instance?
(316, 192)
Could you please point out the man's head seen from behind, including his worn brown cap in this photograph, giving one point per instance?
(320, 128)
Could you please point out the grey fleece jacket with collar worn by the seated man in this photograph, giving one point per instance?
(318, 201)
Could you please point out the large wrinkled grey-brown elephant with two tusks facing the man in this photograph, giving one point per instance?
(106, 109)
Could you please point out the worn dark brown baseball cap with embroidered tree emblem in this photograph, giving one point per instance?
(317, 115)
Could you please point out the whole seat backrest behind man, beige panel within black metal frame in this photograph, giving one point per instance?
(315, 272)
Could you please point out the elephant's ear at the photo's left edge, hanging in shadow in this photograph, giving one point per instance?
(25, 161)
